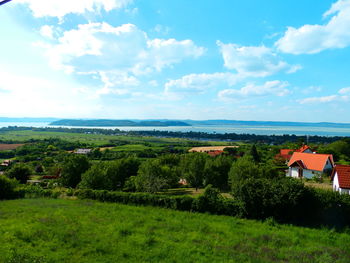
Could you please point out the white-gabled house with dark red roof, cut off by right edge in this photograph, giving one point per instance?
(341, 179)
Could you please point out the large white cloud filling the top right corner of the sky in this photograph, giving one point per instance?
(310, 39)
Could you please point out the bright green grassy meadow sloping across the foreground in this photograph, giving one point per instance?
(48, 230)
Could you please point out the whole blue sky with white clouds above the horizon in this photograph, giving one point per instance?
(258, 60)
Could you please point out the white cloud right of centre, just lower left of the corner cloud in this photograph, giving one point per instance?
(255, 61)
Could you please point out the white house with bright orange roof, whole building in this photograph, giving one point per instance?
(308, 165)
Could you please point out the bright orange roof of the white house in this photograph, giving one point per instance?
(311, 161)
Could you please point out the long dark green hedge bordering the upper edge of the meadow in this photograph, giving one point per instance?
(314, 207)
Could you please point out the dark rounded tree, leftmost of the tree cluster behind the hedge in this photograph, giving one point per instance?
(73, 167)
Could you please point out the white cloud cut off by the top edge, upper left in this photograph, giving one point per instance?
(60, 8)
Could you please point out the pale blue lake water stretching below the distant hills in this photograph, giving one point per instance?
(251, 129)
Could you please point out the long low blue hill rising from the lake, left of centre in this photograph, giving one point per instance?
(120, 123)
